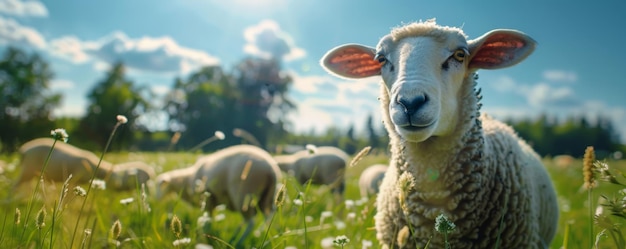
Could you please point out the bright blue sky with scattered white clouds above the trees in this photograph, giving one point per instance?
(577, 68)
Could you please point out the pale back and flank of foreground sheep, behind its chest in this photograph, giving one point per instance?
(524, 173)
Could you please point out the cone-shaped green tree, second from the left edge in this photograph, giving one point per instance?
(112, 96)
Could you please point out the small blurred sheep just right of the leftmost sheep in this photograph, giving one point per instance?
(131, 175)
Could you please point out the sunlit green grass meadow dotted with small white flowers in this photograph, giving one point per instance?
(312, 223)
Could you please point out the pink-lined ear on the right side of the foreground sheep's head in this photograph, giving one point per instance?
(500, 48)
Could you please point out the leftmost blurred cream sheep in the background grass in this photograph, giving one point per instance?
(64, 160)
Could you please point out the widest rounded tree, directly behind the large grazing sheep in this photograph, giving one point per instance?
(253, 99)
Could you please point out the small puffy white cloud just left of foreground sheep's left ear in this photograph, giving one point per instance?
(267, 40)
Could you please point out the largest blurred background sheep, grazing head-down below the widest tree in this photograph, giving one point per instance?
(243, 177)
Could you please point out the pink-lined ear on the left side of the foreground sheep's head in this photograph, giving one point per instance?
(351, 61)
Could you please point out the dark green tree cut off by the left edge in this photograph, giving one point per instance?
(26, 102)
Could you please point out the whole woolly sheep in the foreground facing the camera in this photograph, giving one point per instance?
(447, 159)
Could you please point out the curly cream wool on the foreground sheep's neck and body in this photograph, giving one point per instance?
(489, 175)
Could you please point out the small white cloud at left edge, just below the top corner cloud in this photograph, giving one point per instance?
(11, 32)
